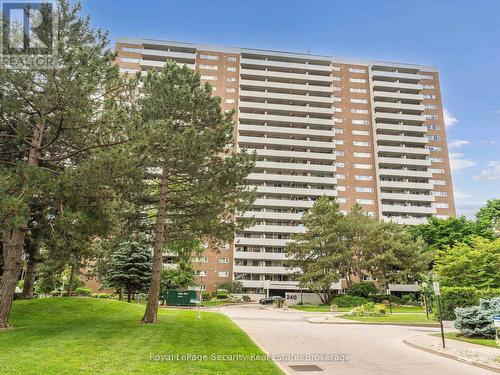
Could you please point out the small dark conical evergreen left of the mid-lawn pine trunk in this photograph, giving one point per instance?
(130, 268)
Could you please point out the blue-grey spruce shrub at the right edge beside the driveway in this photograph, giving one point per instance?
(477, 321)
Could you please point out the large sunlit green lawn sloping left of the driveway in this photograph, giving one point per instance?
(97, 336)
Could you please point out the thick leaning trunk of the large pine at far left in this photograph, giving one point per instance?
(15, 237)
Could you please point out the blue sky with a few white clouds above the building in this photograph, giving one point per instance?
(459, 37)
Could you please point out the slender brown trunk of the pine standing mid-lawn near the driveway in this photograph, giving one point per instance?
(151, 314)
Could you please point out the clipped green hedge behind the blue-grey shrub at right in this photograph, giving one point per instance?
(453, 297)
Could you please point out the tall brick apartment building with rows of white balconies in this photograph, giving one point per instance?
(365, 132)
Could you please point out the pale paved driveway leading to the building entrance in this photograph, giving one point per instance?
(370, 349)
